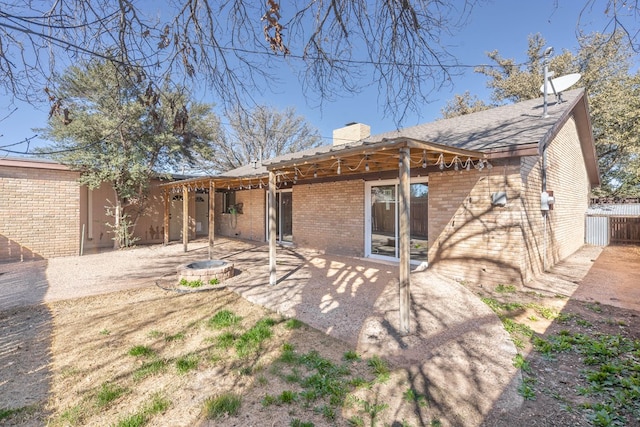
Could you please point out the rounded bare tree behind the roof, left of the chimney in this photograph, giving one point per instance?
(262, 133)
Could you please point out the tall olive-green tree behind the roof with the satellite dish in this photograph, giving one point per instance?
(613, 90)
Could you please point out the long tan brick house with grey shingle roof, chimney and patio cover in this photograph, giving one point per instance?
(495, 196)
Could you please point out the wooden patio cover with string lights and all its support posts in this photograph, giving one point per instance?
(400, 158)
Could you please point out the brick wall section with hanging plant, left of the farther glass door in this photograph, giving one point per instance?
(250, 224)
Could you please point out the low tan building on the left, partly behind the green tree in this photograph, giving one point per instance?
(44, 210)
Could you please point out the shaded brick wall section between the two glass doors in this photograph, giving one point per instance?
(330, 217)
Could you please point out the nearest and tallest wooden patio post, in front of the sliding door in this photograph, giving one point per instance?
(404, 199)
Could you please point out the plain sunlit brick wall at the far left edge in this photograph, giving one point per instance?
(39, 213)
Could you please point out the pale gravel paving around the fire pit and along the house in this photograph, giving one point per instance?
(456, 342)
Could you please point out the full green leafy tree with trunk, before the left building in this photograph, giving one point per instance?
(117, 128)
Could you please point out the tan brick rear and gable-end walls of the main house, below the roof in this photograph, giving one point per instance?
(457, 226)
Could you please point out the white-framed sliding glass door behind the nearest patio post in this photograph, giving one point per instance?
(382, 224)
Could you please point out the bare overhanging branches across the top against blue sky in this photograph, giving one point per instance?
(238, 46)
